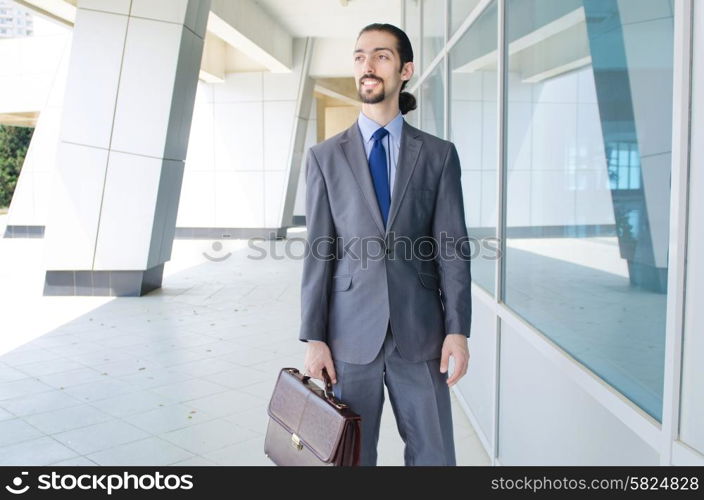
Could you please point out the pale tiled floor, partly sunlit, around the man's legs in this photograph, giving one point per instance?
(181, 376)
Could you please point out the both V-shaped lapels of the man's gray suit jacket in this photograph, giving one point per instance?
(352, 146)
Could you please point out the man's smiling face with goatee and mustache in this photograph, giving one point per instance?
(377, 67)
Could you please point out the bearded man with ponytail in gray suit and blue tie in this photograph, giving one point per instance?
(385, 295)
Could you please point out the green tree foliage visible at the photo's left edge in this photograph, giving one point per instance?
(14, 142)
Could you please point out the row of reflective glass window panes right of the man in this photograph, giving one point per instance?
(587, 155)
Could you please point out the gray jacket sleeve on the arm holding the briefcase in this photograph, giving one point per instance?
(320, 251)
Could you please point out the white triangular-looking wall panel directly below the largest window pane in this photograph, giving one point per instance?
(545, 418)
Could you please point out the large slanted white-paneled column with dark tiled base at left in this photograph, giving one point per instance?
(126, 121)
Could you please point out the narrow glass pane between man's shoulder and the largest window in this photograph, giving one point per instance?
(473, 81)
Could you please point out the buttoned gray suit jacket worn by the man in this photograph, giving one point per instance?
(358, 276)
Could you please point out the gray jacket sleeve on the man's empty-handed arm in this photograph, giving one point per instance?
(450, 233)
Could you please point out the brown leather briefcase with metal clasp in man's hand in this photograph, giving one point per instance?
(308, 425)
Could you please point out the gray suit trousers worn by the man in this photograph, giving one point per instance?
(420, 399)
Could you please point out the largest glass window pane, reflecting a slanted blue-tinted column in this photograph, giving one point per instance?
(588, 158)
